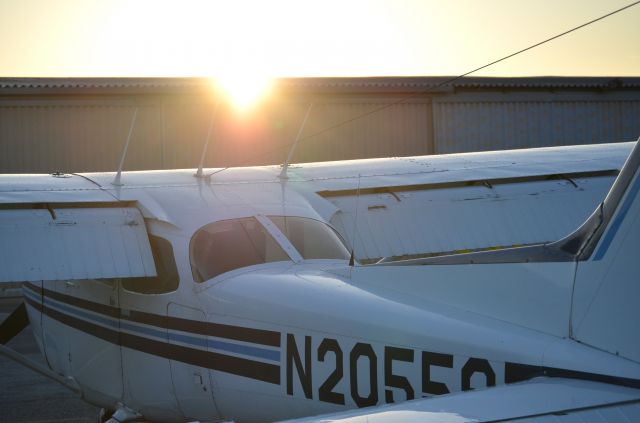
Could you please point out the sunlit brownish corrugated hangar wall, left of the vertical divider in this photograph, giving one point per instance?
(70, 137)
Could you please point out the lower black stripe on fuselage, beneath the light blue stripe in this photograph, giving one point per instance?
(265, 372)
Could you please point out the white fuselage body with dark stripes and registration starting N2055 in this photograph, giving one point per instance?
(282, 341)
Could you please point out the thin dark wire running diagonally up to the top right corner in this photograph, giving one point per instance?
(448, 81)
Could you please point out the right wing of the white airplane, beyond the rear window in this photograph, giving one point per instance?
(416, 207)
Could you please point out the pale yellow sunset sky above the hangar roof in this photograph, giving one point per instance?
(271, 38)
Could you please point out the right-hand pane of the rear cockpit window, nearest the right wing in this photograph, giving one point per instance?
(313, 239)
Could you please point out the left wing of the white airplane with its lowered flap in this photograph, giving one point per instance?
(62, 229)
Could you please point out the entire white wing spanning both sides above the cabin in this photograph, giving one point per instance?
(82, 227)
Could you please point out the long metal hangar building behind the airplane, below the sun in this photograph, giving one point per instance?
(81, 124)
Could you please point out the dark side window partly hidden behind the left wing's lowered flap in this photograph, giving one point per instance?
(167, 279)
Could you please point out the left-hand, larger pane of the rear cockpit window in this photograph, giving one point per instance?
(230, 244)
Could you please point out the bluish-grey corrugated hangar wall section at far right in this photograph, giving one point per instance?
(496, 125)
